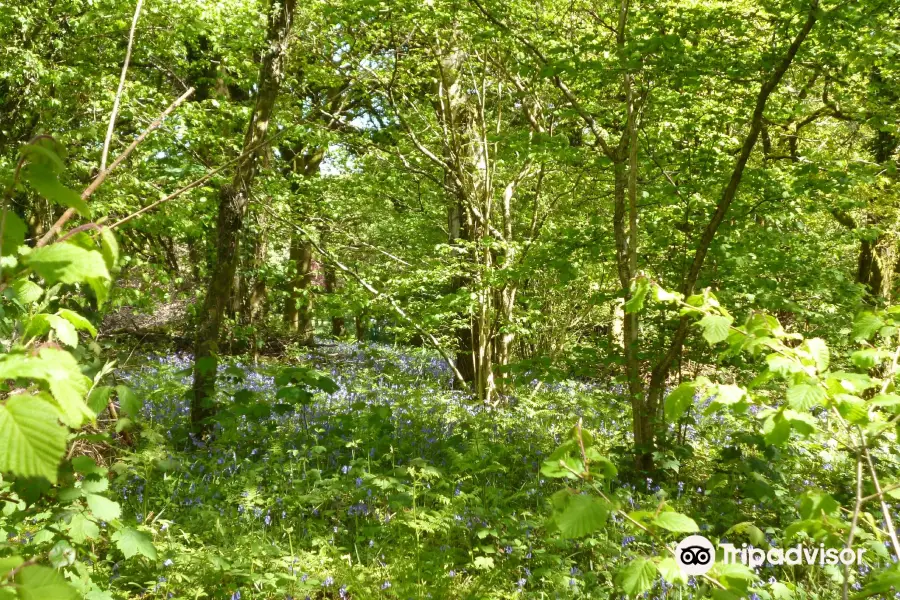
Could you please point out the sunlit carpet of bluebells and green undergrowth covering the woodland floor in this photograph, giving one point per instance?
(393, 485)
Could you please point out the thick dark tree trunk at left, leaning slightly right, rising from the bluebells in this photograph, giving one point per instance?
(233, 199)
